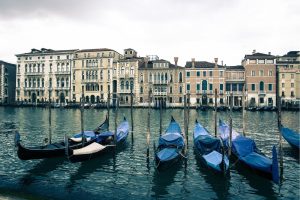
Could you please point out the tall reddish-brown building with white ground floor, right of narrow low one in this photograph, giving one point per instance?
(260, 72)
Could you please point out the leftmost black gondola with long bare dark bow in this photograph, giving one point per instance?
(58, 148)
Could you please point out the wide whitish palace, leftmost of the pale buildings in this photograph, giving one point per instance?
(44, 72)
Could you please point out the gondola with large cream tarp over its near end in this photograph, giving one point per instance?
(104, 143)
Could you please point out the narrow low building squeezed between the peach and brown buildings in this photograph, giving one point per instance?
(235, 81)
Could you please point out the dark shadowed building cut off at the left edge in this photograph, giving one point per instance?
(7, 82)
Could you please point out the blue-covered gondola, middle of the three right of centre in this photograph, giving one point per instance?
(210, 149)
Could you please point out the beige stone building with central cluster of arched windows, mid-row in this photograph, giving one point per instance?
(165, 80)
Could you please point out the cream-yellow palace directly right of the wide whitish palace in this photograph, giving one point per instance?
(93, 74)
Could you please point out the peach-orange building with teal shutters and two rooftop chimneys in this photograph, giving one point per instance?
(202, 78)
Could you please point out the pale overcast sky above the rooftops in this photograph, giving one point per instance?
(201, 29)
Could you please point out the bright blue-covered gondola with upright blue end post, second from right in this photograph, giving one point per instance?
(245, 151)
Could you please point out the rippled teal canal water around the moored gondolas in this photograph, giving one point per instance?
(127, 174)
